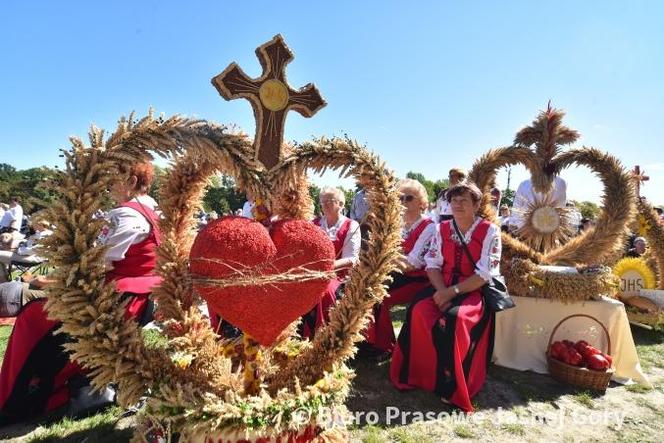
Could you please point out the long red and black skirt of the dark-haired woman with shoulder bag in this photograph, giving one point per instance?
(445, 353)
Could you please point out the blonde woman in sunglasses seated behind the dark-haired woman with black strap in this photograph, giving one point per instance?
(417, 232)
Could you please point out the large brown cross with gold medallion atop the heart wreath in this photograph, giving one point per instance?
(270, 97)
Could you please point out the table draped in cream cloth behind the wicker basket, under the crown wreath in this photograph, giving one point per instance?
(522, 334)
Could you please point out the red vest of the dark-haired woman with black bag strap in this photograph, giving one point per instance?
(454, 254)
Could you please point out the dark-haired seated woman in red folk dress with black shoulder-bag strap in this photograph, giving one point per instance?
(446, 342)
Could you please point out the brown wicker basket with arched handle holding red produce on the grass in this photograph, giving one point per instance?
(574, 375)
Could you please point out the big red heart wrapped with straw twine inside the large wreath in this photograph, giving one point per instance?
(237, 246)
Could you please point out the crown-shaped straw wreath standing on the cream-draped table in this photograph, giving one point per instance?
(539, 147)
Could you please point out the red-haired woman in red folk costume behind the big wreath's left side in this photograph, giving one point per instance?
(37, 375)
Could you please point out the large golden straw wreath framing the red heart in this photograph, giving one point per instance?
(196, 385)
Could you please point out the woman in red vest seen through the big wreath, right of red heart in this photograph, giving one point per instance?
(346, 236)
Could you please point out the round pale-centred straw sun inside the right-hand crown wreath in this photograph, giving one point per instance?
(545, 226)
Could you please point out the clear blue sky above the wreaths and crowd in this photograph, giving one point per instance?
(427, 85)
